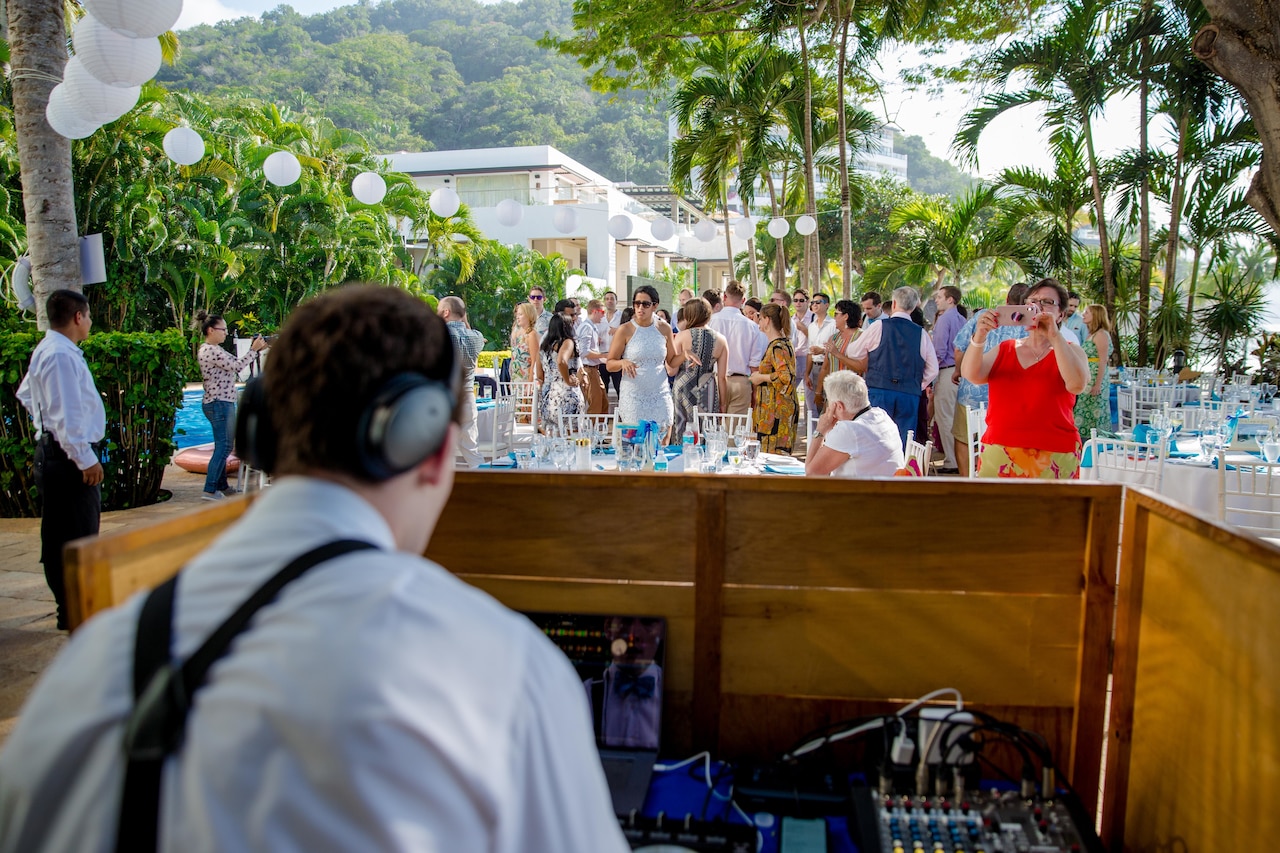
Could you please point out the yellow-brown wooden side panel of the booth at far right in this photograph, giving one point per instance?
(1205, 752)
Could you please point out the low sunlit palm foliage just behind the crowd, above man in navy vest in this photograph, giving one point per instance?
(948, 240)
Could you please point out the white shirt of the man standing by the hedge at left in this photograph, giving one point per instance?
(62, 399)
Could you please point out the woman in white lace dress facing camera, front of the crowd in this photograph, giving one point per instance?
(641, 350)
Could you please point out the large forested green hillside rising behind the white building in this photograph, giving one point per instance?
(431, 75)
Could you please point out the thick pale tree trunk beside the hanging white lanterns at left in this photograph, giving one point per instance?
(38, 45)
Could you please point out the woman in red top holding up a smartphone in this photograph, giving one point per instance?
(1034, 382)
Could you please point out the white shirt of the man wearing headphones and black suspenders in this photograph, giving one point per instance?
(380, 704)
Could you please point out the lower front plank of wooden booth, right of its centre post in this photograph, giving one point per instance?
(1014, 650)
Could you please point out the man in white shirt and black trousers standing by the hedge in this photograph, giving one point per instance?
(71, 423)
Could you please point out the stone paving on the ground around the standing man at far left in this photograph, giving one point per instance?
(29, 637)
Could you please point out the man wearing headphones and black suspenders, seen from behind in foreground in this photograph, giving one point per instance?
(377, 703)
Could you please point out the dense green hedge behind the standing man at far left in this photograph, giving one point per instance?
(140, 377)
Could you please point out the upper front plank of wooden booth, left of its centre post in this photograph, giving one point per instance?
(540, 527)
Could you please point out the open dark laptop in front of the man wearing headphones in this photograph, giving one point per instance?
(620, 660)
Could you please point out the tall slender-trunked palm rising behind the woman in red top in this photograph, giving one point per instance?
(1069, 74)
